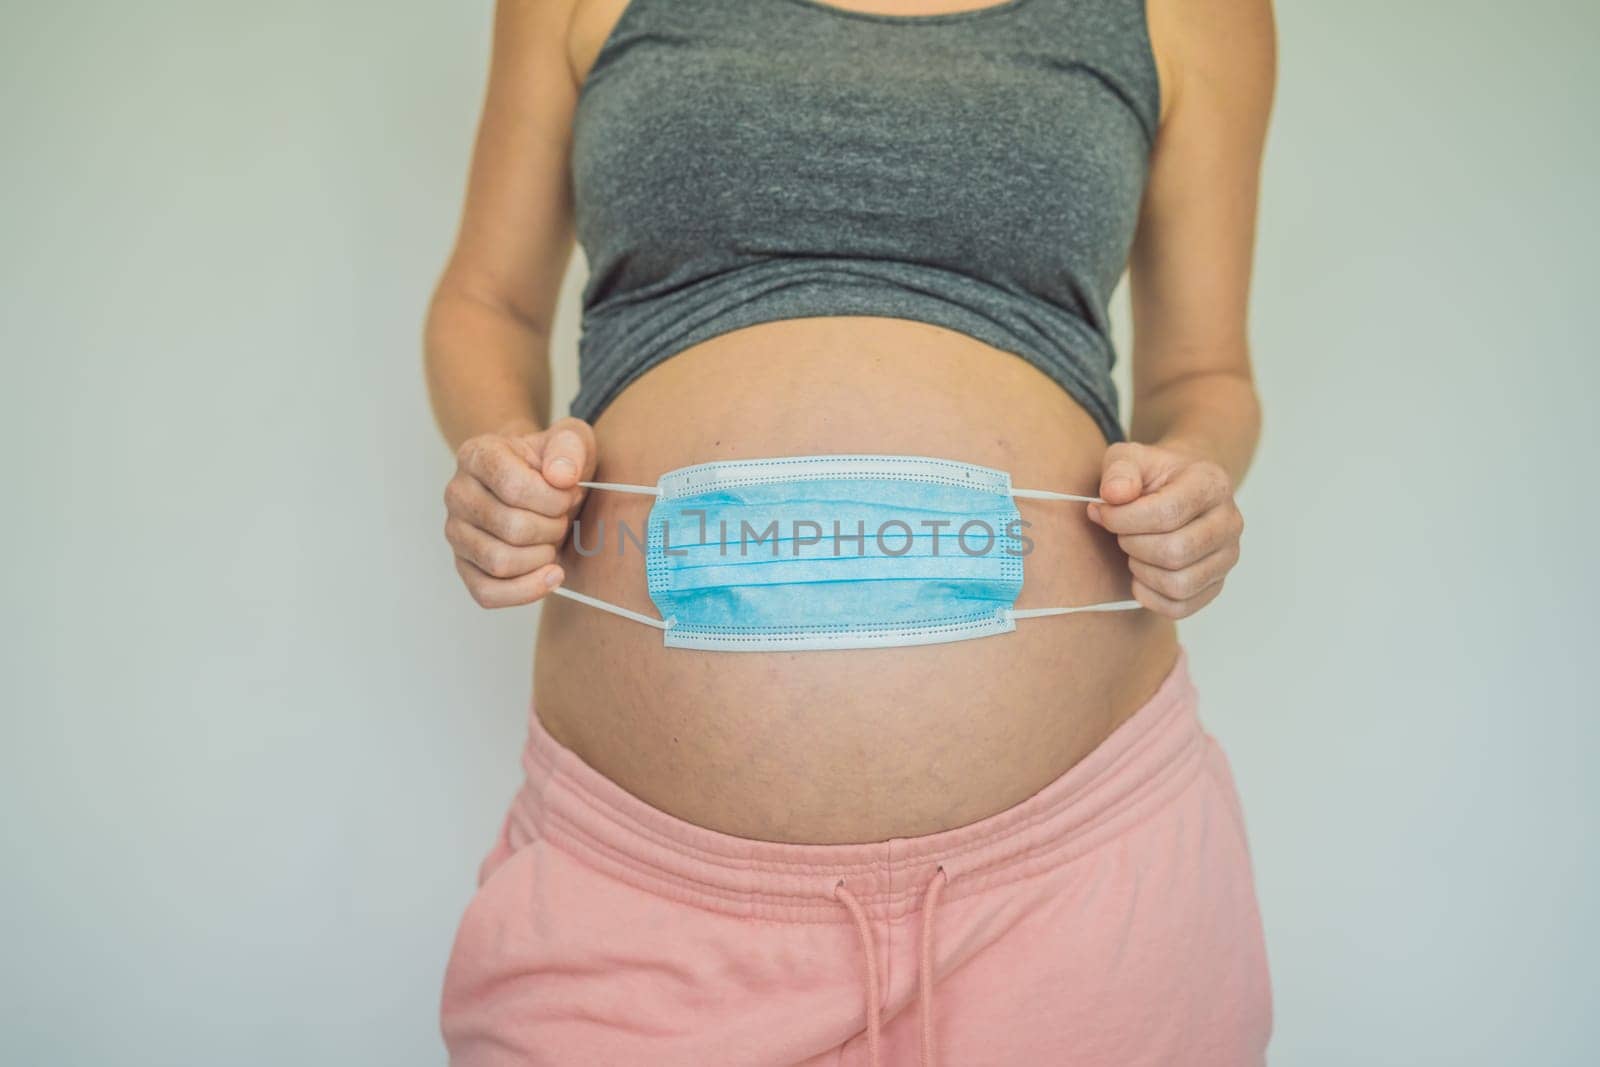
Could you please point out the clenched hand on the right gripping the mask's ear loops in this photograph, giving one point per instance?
(1174, 514)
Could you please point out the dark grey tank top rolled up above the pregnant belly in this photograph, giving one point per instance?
(750, 161)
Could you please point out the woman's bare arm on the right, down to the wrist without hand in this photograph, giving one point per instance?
(1191, 260)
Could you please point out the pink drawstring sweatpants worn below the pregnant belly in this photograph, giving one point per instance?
(1108, 921)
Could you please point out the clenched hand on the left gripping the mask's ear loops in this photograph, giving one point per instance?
(511, 505)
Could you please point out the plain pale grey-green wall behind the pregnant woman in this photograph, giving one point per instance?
(257, 738)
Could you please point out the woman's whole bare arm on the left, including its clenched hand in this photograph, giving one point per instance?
(511, 502)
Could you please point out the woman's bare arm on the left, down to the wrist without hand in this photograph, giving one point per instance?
(489, 326)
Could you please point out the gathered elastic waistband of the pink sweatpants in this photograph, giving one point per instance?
(1148, 759)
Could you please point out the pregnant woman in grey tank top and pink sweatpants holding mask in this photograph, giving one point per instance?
(849, 271)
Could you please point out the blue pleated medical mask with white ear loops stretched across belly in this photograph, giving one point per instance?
(817, 553)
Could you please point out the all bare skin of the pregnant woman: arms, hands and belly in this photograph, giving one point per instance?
(855, 745)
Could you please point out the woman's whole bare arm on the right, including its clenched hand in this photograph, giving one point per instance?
(1196, 415)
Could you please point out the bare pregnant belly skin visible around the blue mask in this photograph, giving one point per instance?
(847, 745)
